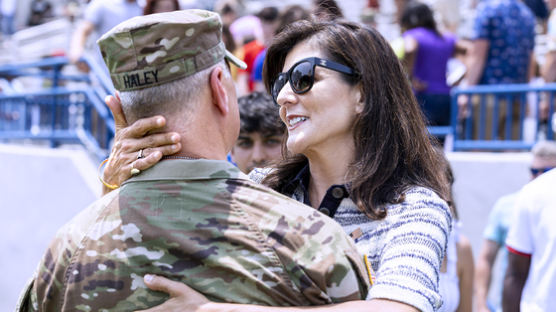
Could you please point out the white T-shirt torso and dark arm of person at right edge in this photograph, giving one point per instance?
(530, 281)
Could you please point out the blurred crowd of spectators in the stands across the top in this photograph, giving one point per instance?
(442, 43)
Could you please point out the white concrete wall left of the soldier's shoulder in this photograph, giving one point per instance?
(42, 189)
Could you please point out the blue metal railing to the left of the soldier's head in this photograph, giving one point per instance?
(58, 113)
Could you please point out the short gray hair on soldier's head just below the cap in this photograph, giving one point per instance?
(168, 99)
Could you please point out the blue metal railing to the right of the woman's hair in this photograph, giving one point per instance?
(496, 116)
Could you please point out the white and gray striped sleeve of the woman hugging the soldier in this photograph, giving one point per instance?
(416, 238)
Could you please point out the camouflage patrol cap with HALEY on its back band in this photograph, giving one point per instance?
(150, 50)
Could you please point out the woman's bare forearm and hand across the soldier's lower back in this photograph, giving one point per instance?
(186, 299)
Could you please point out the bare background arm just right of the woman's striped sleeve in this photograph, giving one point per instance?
(466, 270)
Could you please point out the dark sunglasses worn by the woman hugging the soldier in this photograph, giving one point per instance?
(301, 75)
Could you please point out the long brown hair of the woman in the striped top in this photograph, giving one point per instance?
(393, 151)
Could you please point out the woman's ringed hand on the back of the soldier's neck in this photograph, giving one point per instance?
(129, 141)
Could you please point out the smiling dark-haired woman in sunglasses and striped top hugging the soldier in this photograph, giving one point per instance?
(356, 149)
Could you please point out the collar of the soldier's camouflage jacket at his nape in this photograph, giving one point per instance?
(182, 169)
